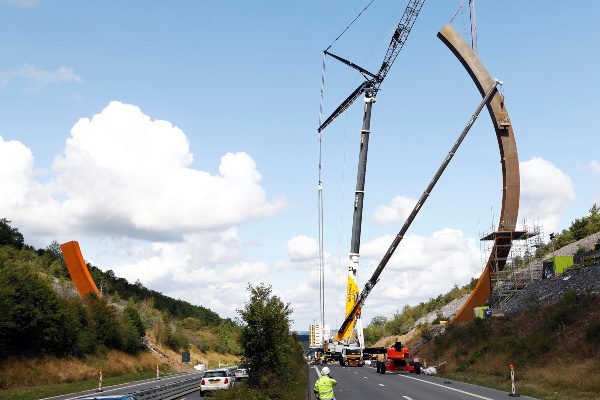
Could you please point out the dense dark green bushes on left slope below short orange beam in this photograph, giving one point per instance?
(37, 321)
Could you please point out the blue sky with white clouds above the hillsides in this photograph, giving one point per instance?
(176, 141)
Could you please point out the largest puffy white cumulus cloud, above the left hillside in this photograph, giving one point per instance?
(139, 173)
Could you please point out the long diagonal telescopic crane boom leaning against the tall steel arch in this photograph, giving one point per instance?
(356, 309)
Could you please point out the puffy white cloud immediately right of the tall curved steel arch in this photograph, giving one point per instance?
(546, 191)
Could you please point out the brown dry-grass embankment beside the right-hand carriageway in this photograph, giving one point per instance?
(555, 350)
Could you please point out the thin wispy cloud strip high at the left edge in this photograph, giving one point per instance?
(37, 78)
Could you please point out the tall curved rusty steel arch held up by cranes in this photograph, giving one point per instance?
(510, 171)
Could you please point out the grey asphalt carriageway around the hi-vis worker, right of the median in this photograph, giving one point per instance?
(365, 383)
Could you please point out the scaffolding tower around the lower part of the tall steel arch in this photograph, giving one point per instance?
(514, 261)
